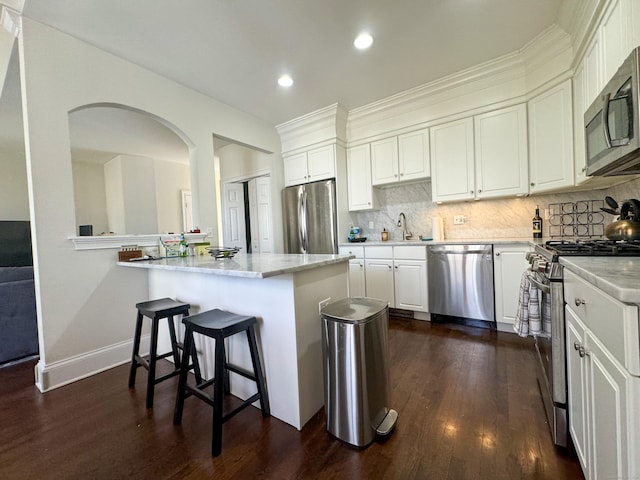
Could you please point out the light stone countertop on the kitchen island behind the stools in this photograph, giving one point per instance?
(261, 265)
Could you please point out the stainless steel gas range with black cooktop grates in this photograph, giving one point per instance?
(551, 351)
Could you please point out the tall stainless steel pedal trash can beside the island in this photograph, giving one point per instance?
(356, 369)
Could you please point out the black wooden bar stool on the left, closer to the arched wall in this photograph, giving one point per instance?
(157, 310)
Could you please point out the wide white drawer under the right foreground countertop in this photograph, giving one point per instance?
(614, 323)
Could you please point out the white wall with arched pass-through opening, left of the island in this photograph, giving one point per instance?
(86, 303)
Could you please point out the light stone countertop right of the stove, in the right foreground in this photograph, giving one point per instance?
(617, 276)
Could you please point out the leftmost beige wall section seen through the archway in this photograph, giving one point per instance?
(89, 196)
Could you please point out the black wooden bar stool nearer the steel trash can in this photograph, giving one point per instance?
(218, 324)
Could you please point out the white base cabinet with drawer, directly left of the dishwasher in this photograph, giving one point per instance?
(410, 278)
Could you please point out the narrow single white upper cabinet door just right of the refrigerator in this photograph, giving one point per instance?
(360, 191)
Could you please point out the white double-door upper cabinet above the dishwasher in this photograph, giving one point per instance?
(480, 157)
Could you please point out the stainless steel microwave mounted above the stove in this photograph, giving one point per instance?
(611, 124)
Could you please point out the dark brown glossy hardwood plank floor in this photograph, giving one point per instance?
(467, 400)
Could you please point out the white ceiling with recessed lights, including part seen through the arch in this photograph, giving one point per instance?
(234, 51)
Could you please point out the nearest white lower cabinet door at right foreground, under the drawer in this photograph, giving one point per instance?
(608, 401)
